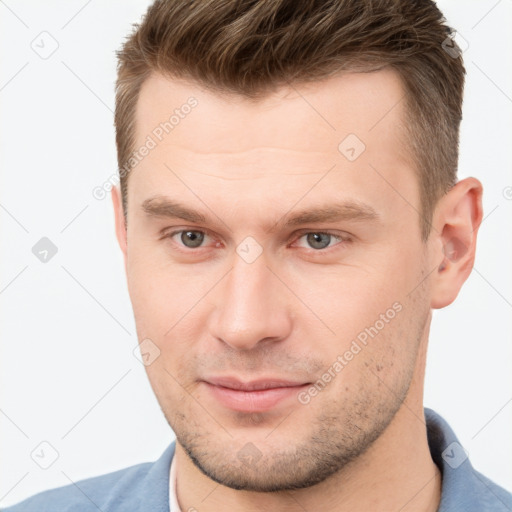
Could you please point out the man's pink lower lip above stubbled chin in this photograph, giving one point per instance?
(253, 401)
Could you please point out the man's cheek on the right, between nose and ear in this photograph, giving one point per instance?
(364, 315)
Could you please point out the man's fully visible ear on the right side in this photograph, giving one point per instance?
(455, 226)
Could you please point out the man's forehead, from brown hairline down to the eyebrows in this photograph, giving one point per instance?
(234, 152)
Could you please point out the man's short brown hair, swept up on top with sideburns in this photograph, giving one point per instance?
(251, 47)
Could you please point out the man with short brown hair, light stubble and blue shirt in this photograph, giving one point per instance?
(286, 344)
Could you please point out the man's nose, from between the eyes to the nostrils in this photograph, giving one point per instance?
(250, 306)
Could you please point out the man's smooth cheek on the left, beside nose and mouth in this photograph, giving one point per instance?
(169, 304)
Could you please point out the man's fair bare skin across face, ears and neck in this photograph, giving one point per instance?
(359, 442)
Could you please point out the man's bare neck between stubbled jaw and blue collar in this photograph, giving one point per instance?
(396, 473)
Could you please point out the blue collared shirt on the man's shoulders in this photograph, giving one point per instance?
(145, 487)
